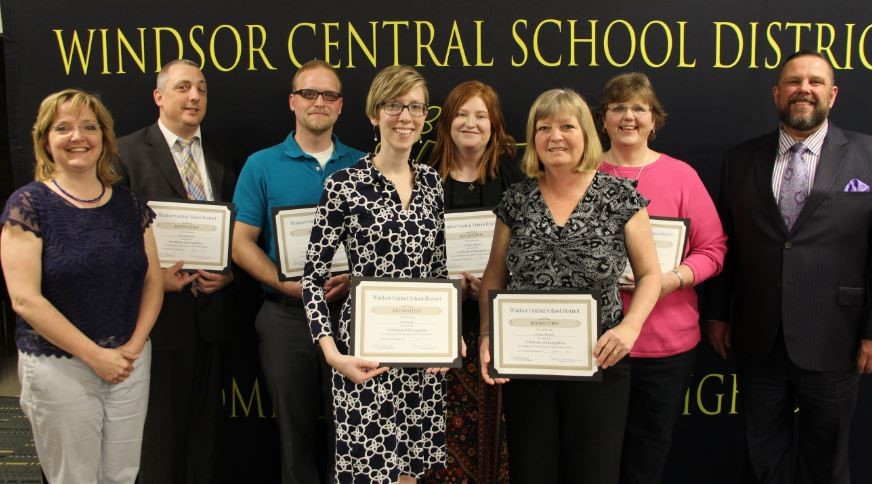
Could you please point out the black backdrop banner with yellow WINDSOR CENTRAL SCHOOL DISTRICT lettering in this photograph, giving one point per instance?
(713, 65)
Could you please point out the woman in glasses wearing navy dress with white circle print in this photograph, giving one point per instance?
(388, 211)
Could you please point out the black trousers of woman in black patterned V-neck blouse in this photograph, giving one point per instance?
(567, 431)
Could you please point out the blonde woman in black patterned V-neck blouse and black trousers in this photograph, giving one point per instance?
(570, 227)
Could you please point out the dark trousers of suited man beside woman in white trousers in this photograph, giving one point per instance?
(181, 434)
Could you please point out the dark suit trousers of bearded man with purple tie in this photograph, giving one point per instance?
(785, 446)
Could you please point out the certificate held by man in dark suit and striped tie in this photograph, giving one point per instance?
(195, 232)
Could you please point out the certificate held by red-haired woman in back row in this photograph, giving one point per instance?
(468, 238)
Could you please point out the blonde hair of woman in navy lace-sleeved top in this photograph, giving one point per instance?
(45, 118)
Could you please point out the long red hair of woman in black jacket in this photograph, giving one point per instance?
(444, 155)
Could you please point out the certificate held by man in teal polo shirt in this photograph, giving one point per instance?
(292, 227)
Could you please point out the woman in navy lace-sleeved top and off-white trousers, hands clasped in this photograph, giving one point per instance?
(81, 266)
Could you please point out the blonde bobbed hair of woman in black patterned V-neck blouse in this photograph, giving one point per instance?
(551, 103)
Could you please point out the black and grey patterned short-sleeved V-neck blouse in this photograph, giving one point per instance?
(587, 253)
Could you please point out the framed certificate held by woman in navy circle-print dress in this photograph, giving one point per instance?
(406, 322)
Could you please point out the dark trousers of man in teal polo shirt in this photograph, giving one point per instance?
(297, 379)
